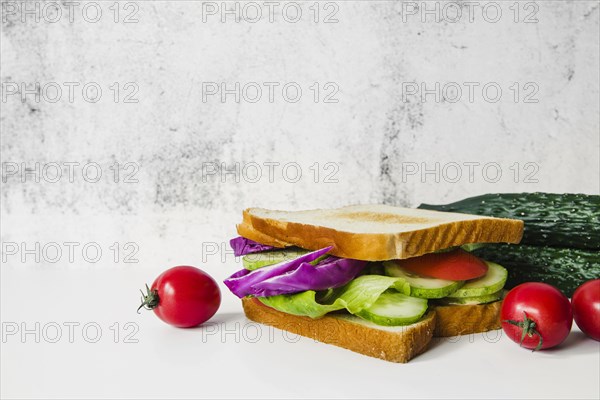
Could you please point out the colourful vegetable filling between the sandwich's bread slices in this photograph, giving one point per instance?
(391, 293)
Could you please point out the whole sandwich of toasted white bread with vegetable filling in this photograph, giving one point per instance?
(375, 279)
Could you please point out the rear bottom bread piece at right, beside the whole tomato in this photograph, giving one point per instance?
(455, 320)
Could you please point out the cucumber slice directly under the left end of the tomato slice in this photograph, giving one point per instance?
(421, 286)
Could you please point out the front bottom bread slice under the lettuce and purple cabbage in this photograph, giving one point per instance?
(396, 344)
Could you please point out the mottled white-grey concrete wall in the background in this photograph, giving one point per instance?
(362, 129)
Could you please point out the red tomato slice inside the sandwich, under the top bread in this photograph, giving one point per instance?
(454, 265)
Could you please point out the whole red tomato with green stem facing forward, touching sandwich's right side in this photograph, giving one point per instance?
(536, 315)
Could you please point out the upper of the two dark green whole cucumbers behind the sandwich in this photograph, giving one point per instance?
(562, 220)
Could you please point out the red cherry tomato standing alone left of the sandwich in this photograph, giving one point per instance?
(183, 296)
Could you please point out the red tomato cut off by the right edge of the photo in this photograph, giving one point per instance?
(586, 308)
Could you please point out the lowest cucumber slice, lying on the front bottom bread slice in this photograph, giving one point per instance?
(393, 309)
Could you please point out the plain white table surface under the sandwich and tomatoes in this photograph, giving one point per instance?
(229, 359)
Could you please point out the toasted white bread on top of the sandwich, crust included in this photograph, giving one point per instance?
(379, 232)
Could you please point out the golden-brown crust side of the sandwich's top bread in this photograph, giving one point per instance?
(385, 246)
